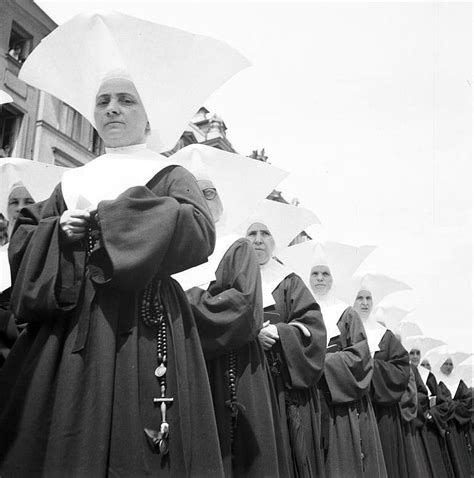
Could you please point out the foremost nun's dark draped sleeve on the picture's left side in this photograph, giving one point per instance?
(47, 276)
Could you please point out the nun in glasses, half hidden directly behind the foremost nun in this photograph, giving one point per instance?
(226, 299)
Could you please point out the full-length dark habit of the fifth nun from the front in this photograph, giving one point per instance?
(389, 382)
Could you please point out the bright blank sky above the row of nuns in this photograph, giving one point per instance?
(369, 106)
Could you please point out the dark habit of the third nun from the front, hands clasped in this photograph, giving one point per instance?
(297, 364)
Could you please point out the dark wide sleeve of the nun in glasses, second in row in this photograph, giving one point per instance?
(230, 313)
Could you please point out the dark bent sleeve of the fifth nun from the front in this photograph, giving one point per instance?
(391, 371)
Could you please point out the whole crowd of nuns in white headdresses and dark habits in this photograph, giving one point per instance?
(155, 320)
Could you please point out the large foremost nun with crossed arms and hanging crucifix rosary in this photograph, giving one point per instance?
(109, 377)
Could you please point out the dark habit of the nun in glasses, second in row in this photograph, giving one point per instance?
(229, 316)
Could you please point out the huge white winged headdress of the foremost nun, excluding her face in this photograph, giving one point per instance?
(174, 71)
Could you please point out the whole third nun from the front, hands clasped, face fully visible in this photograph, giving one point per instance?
(293, 336)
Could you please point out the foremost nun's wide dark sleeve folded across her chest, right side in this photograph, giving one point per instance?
(156, 230)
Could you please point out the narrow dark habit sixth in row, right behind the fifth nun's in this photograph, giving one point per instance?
(418, 463)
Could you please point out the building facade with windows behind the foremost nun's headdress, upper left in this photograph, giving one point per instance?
(36, 125)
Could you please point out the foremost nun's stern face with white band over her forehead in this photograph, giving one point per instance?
(119, 114)
